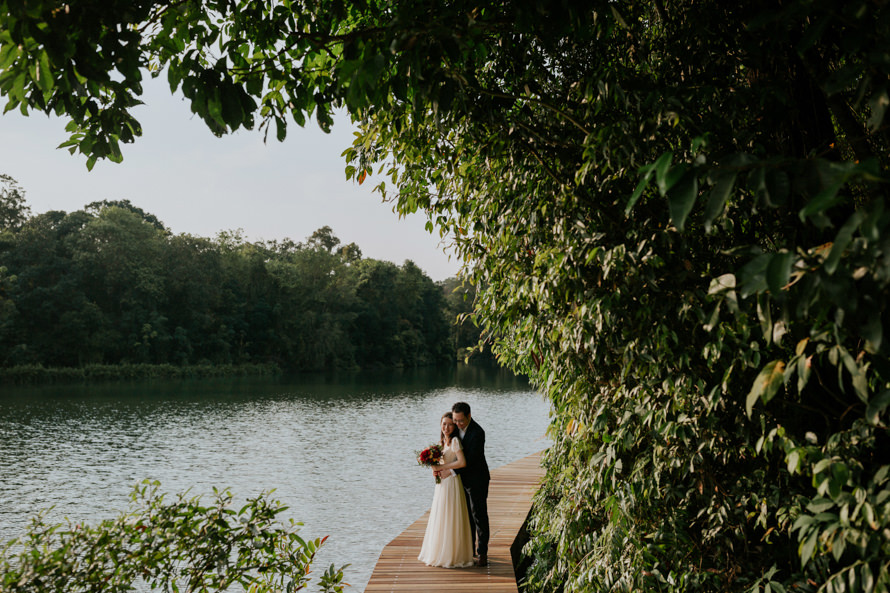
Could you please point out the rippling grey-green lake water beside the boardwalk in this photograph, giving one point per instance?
(338, 450)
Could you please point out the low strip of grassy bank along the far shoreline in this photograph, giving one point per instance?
(36, 374)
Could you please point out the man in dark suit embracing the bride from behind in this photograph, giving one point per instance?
(475, 478)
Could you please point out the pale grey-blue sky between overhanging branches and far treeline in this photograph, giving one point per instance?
(199, 184)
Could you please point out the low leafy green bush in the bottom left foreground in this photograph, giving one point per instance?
(182, 545)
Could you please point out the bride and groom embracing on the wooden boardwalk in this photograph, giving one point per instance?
(457, 531)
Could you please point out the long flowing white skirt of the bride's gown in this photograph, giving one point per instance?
(447, 541)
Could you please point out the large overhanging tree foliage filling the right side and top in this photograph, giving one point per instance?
(674, 210)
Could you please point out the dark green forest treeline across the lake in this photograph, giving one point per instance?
(110, 285)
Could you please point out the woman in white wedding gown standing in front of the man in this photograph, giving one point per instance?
(447, 541)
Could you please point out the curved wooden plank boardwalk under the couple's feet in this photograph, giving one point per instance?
(509, 501)
